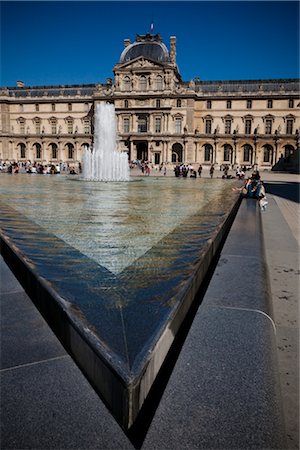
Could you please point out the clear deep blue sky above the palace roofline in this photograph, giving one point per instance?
(74, 42)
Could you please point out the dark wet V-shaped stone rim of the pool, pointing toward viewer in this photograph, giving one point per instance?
(120, 342)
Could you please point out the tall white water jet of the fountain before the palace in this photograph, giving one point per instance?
(103, 162)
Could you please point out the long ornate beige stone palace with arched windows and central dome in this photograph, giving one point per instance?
(160, 117)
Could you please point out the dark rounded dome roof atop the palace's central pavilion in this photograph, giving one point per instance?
(149, 46)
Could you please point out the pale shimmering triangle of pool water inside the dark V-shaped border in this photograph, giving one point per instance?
(114, 223)
